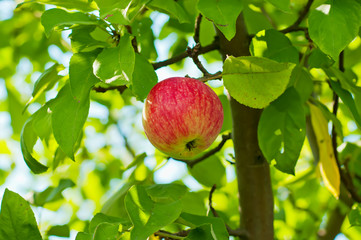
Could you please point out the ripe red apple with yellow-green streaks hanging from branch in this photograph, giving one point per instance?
(182, 117)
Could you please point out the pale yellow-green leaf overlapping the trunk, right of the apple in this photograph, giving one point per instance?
(255, 81)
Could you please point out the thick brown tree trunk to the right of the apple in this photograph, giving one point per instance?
(253, 173)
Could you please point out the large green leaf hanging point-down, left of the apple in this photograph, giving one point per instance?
(68, 117)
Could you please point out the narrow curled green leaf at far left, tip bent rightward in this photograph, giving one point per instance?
(27, 141)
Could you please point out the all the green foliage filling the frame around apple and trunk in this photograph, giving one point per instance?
(292, 74)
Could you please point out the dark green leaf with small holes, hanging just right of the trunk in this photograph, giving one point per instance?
(282, 131)
